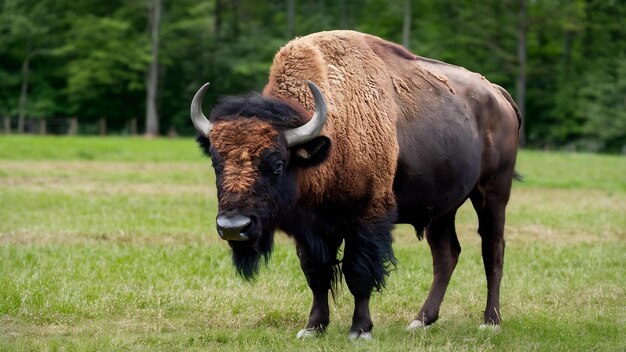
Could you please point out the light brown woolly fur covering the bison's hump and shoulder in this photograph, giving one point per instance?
(362, 115)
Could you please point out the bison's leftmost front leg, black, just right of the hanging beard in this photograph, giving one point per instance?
(320, 276)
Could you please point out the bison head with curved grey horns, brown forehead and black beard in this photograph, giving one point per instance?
(256, 150)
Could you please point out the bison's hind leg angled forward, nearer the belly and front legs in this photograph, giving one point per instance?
(445, 249)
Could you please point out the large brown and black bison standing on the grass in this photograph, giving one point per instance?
(380, 136)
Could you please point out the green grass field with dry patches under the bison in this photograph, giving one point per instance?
(110, 244)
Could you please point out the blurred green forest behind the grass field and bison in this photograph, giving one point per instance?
(564, 61)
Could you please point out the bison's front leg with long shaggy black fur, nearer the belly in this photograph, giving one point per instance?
(367, 257)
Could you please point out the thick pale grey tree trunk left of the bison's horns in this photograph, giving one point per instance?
(152, 81)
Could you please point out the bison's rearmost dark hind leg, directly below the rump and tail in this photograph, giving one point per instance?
(490, 202)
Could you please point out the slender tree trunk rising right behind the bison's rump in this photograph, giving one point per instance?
(520, 84)
